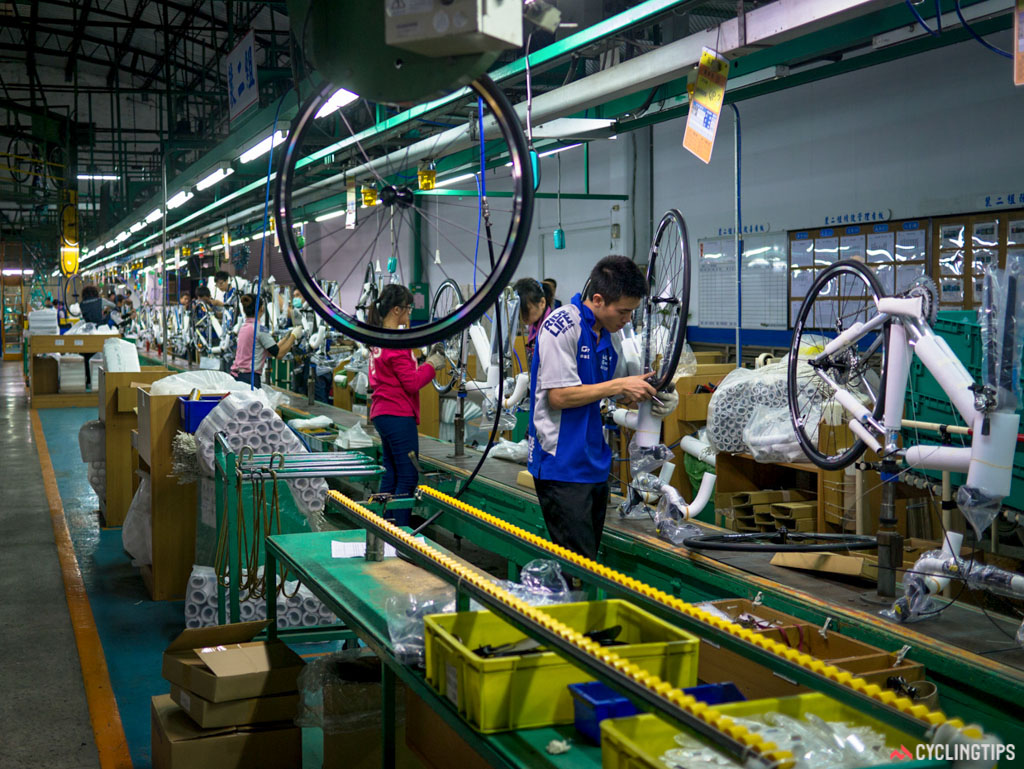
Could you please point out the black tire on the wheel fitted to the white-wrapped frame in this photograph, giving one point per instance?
(810, 449)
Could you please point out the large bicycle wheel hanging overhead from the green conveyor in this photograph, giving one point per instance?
(316, 176)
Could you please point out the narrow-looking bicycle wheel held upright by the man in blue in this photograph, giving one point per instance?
(668, 303)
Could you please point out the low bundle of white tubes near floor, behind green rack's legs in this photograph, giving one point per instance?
(297, 608)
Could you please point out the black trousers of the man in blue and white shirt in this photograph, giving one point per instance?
(575, 514)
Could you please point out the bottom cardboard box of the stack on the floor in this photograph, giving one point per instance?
(179, 744)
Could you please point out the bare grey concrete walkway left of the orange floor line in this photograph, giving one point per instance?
(44, 709)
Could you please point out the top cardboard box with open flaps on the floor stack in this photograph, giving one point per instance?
(224, 663)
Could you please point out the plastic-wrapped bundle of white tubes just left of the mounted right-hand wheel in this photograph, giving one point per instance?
(735, 401)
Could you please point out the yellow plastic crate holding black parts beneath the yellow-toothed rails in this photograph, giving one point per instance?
(524, 693)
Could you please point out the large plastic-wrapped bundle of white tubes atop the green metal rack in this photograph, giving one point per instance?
(247, 421)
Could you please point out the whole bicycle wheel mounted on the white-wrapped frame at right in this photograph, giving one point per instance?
(842, 295)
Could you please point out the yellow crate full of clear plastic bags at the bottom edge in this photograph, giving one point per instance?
(639, 742)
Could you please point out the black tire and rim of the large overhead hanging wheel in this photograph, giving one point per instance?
(417, 336)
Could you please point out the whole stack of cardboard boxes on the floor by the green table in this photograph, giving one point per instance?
(232, 703)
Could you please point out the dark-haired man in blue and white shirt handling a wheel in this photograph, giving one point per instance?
(576, 366)
